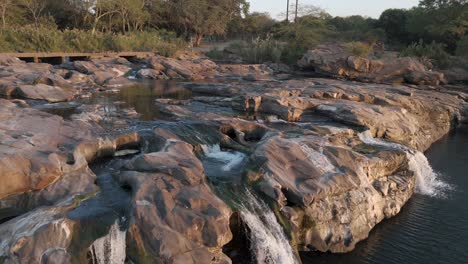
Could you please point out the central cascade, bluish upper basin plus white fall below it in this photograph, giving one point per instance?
(268, 241)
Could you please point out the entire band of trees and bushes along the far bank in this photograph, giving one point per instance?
(433, 31)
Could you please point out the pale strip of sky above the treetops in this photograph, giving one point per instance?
(371, 8)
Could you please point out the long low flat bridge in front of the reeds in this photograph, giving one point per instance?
(61, 57)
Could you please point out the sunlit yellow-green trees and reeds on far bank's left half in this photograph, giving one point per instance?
(112, 25)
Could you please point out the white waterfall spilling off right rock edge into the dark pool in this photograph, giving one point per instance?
(427, 181)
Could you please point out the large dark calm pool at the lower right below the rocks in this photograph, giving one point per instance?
(428, 229)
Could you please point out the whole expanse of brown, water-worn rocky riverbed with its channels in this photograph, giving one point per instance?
(182, 160)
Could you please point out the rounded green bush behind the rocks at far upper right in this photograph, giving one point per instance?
(434, 53)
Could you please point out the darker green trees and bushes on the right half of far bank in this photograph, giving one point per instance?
(432, 31)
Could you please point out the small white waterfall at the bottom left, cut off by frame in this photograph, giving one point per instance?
(111, 248)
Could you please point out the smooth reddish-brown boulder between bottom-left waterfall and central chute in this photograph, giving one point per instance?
(177, 219)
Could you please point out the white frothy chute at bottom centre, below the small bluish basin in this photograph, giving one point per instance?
(268, 241)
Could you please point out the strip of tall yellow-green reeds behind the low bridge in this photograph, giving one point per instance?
(47, 39)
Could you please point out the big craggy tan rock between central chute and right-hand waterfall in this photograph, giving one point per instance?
(333, 193)
